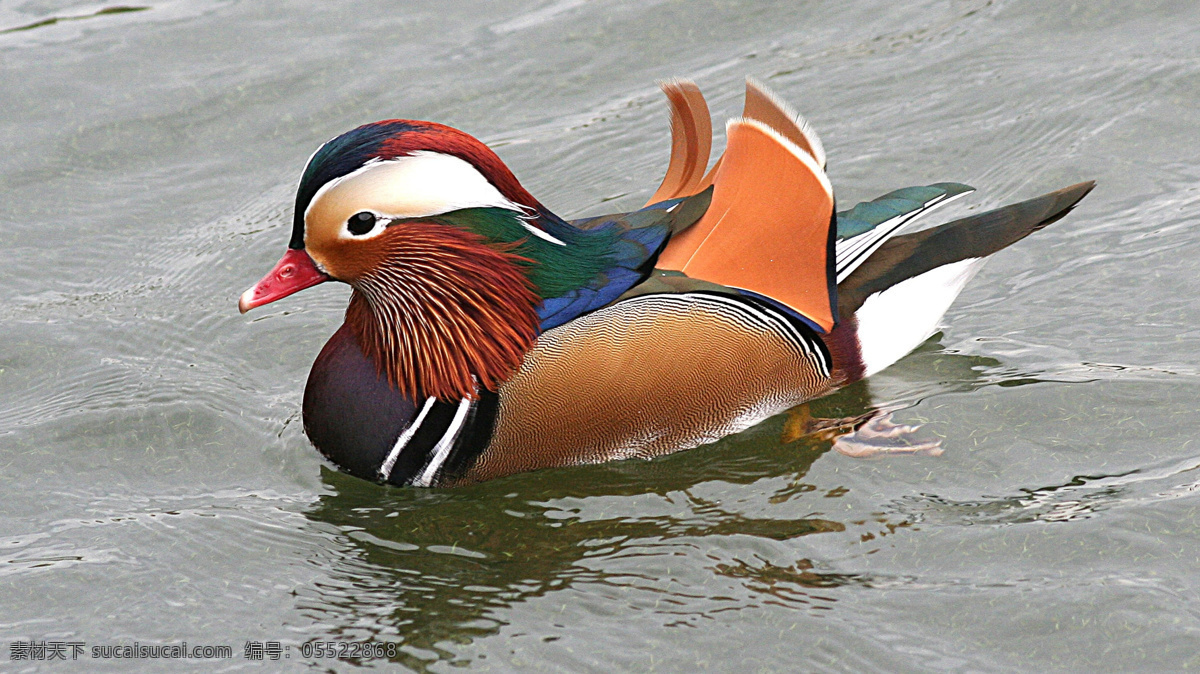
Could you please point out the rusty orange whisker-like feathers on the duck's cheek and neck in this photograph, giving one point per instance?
(440, 311)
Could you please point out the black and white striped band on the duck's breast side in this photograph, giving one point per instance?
(443, 440)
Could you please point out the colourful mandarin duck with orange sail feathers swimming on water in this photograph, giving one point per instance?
(487, 336)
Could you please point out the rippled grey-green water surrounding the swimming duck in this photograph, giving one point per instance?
(157, 488)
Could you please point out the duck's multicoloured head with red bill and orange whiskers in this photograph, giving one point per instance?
(437, 239)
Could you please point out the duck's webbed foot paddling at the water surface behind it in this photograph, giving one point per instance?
(860, 437)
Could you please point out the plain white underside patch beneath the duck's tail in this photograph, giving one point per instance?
(895, 322)
